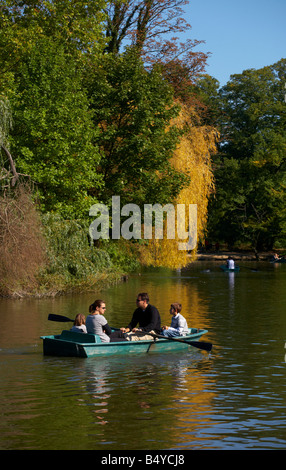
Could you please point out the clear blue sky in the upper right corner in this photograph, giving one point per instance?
(240, 34)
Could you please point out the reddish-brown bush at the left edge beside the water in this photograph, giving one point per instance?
(21, 242)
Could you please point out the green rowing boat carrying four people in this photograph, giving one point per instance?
(73, 344)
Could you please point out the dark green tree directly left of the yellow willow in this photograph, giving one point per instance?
(133, 110)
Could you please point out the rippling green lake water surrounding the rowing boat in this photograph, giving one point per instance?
(233, 398)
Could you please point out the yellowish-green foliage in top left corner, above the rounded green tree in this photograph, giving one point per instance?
(75, 23)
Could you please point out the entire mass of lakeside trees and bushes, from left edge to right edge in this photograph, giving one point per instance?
(99, 99)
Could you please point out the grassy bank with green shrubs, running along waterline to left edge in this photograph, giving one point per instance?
(70, 263)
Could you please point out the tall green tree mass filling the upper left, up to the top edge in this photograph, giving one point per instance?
(46, 50)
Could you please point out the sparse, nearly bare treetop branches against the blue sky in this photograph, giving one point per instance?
(154, 28)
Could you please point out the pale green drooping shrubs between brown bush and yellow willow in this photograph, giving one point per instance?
(73, 263)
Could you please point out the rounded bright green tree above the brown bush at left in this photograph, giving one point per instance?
(53, 129)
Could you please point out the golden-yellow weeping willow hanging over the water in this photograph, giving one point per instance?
(193, 157)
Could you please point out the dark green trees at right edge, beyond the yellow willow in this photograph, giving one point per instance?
(250, 169)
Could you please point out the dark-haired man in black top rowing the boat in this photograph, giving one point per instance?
(148, 318)
